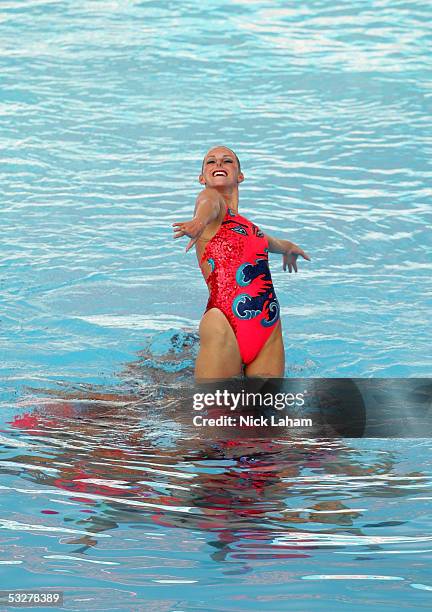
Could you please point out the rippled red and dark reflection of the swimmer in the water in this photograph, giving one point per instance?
(136, 461)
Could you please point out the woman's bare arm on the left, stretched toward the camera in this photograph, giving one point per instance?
(207, 209)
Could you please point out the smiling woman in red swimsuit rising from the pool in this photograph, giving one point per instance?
(241, 325)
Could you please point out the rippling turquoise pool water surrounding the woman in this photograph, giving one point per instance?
(106, 110)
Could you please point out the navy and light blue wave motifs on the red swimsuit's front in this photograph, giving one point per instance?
(247, 306)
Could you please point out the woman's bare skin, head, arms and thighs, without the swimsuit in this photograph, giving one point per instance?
(219, 355)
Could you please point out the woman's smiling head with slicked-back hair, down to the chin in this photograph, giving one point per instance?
(220, 169)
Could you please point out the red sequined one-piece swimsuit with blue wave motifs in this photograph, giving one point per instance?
(240, 284)
